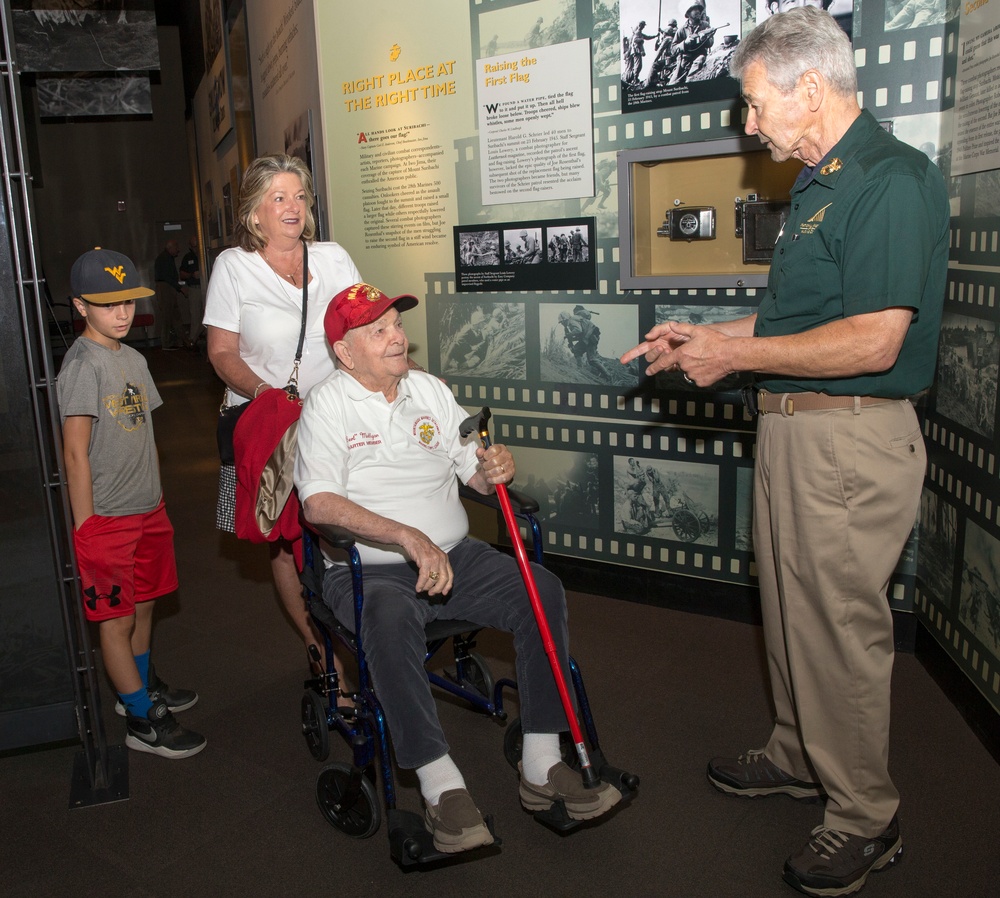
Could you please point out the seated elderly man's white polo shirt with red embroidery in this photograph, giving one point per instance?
(398, 460)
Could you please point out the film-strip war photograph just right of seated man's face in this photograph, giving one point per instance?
(483, 339)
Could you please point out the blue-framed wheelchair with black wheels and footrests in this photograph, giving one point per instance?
(346, 793)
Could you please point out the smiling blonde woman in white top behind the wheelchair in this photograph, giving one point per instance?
(253, 315)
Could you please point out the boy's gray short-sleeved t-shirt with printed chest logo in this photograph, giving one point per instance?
(114, 388)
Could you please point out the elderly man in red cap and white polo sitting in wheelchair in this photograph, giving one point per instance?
(378, 453)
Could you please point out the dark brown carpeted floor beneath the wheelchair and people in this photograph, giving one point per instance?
(669, 689)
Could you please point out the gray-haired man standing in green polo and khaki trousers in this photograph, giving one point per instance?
(846, 331)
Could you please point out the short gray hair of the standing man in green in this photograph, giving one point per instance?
(790, 43)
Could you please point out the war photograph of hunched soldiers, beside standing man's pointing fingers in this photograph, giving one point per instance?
(581, 343)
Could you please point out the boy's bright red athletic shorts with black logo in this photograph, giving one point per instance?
(124, 560)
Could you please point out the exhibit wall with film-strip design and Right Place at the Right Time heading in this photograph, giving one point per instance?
(399, 102)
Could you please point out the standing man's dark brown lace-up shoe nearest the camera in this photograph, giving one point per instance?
(838, 863)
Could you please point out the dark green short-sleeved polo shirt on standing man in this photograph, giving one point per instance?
(867, 230)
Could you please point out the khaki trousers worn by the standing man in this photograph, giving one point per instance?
(835, 497)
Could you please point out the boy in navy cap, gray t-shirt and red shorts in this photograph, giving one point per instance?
(123, 538)
